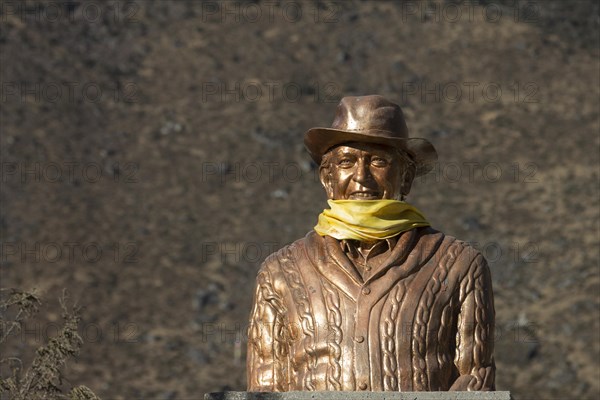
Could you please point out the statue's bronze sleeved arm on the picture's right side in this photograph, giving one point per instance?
(474, 357)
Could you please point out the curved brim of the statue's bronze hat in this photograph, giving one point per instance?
(319, 140)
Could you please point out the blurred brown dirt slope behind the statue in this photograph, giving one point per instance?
(152, 157)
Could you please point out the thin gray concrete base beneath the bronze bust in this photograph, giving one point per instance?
(359, 396)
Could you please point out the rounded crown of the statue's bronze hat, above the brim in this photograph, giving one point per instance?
(372, 113)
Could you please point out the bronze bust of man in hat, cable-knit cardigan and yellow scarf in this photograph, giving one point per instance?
(373, 299)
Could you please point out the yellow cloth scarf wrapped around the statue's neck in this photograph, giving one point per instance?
(368, 219)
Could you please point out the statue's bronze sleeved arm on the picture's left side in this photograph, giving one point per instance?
(267, 358)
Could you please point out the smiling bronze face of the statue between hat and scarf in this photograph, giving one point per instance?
(363, 171)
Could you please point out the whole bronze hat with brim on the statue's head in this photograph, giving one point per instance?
(371, 119)
